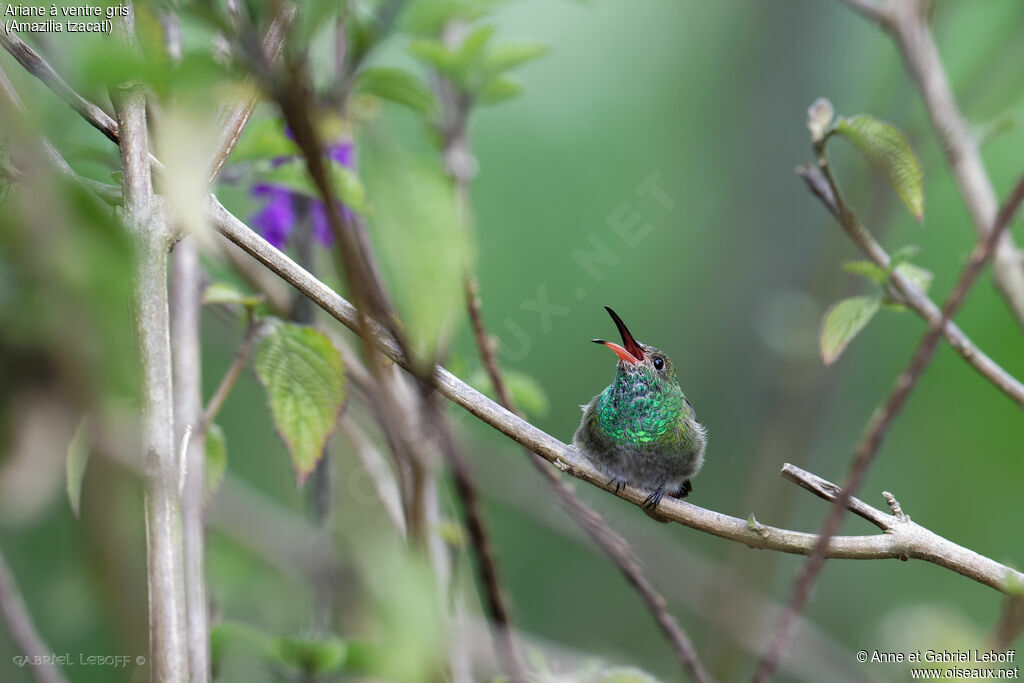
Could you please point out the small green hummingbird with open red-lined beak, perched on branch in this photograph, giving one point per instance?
(642, 431)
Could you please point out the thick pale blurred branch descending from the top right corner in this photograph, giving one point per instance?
(907, 23)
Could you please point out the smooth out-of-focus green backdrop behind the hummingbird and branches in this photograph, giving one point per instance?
(709, 101)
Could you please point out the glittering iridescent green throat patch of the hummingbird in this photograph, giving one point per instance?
(643, 409)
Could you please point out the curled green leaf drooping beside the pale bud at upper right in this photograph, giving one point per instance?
(887, 149)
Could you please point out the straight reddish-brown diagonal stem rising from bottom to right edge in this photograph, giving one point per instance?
(877, 431)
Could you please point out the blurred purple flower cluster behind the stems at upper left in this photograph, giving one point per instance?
(278, 218)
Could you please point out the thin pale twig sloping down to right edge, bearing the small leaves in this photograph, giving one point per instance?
(821, 182)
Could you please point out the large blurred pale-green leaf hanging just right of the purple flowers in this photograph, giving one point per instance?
(419, 237)
